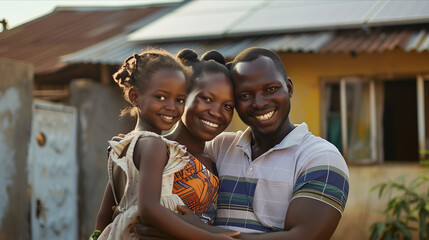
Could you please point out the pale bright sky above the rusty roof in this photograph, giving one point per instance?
(17, 12)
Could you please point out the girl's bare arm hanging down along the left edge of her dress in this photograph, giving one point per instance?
(105, 213)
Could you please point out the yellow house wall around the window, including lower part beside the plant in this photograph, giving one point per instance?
(306, 71)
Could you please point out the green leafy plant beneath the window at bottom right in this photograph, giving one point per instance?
(407, 210)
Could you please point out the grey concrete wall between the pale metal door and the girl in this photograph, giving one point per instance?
(98, 121)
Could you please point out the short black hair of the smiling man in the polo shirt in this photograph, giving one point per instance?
(253, 53)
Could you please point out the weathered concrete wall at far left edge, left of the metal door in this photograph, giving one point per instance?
(16, 88)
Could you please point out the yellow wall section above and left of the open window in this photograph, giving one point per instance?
(306, 70)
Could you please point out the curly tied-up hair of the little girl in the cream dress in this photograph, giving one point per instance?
(138, 69)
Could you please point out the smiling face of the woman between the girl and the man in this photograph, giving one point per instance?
(209, 106)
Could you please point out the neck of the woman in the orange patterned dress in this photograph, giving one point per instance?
(182, 135)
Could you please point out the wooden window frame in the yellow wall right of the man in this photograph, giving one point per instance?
(376, 141)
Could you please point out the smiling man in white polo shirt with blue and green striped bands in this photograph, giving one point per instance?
(277, 180)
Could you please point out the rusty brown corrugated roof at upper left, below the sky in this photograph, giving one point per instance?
(70, 29)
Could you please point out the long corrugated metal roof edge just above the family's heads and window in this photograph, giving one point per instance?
(407, 38)
